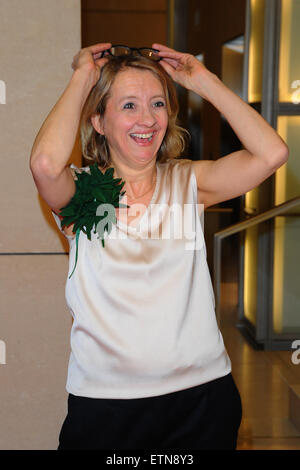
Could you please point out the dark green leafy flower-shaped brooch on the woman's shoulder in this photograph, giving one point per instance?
(93, 204)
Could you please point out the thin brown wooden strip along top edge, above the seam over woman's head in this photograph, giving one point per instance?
(128, 5)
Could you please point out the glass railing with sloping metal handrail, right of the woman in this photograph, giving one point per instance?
(284, 319)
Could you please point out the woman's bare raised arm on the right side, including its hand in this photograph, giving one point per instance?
(264, 150)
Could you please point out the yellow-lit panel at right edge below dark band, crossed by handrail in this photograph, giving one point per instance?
(286, 233)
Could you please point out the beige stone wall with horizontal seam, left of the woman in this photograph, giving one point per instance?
(38, 40)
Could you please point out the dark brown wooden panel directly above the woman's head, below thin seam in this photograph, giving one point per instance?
(133, 29)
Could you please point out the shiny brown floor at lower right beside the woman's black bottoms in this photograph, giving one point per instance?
(263, 379)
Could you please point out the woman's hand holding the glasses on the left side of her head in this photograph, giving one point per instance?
(88, 59)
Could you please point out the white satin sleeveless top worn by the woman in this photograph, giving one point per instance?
(143, 312)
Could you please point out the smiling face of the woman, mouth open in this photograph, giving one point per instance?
(136, 118)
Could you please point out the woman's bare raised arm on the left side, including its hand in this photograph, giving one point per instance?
(55, 141)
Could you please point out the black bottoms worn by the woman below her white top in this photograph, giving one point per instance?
(204, 417)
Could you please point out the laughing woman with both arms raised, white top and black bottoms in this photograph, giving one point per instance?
(148, 367)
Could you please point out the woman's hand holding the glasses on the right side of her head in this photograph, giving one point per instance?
(183, 68)
